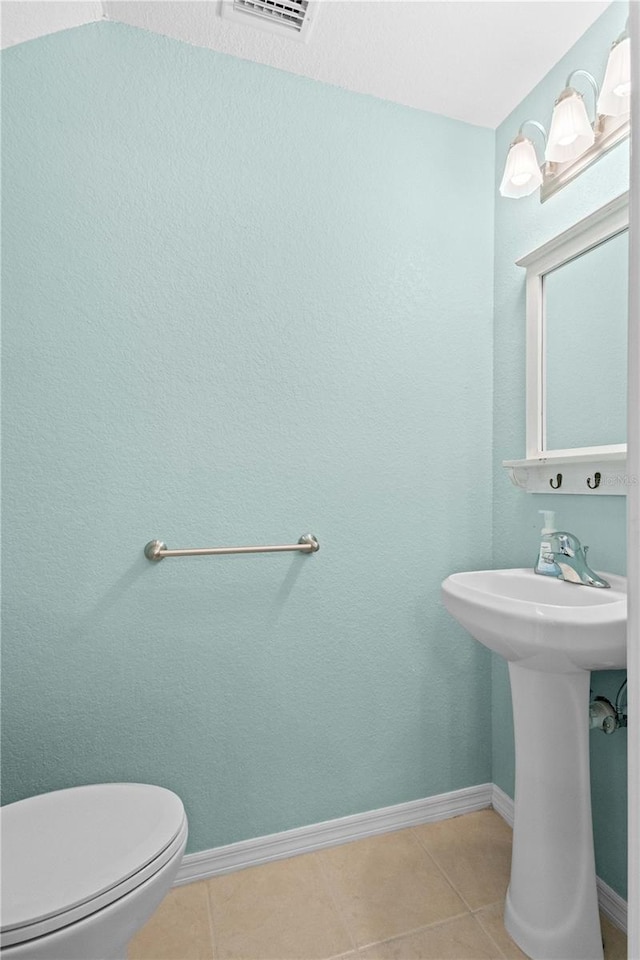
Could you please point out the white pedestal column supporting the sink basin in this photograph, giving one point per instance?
(552, 903)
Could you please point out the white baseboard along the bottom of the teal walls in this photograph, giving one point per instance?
(330, 833)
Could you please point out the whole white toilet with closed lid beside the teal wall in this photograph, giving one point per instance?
(83, 869)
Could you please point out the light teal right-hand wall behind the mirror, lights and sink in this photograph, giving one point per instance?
(521, 226)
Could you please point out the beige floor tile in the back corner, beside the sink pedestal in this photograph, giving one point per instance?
(474, 851)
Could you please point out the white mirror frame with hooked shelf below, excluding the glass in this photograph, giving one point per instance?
(588, 470)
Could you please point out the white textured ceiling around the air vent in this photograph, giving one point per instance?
(473, 60)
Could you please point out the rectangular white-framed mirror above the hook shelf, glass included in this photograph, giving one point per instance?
(577, 308)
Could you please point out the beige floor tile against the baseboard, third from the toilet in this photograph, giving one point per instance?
(387, 886)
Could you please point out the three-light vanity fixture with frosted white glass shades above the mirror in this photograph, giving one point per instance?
(574, 141)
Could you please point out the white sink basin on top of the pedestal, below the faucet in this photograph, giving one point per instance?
(542, 622)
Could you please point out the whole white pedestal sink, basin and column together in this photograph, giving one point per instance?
(553, 634)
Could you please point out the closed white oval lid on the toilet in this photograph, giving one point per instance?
(64, 849)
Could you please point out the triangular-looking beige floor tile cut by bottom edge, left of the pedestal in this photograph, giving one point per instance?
(459, 939)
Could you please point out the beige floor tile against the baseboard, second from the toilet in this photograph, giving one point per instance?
(278, 911)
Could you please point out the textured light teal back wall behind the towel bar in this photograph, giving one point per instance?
(240, 306)
